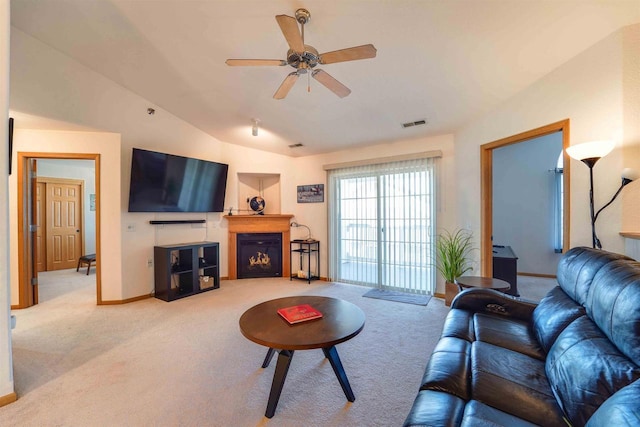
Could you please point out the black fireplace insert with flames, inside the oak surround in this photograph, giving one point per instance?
(259, 255)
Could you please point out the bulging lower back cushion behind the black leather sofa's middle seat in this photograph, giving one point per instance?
(585, 369)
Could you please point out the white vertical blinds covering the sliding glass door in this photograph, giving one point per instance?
(382, 225)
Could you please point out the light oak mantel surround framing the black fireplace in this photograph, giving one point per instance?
(259, 224)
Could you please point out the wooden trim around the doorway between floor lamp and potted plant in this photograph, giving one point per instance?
(486, 187)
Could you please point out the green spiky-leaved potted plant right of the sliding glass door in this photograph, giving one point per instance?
(452, 259)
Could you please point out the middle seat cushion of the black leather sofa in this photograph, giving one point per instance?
(513, 383)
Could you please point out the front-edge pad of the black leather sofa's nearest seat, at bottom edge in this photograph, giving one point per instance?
(435, 409)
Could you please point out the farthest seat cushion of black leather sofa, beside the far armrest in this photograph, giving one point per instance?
(505, 332)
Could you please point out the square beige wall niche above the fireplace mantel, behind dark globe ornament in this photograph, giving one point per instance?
(258, 184)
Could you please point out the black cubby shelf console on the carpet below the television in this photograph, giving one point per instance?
(186, 269)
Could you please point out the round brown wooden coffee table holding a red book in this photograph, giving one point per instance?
(340, 322)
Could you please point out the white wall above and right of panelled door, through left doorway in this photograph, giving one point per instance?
(81, 170)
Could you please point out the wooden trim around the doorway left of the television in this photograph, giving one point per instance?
(22, 159)
